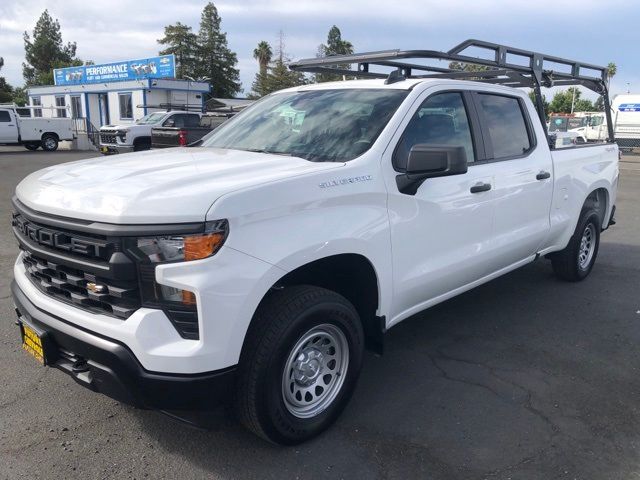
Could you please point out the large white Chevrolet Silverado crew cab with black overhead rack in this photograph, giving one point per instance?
(257, 267)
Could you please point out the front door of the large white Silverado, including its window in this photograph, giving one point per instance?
(441, 236)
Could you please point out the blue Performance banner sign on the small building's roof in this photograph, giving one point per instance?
(154, 67)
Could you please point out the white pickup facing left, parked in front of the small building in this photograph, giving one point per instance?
(136, 136)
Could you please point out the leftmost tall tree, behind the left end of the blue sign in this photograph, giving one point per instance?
(45, 51)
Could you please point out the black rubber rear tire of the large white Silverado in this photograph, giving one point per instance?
(571, 263)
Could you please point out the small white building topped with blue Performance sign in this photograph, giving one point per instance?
(119, 92)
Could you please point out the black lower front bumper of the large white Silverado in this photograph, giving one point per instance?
(109, 367)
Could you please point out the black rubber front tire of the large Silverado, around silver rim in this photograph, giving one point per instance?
(283, 319)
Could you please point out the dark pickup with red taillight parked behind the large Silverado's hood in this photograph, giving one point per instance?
(186, 131)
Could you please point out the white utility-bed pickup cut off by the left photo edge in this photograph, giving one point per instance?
(33, 133)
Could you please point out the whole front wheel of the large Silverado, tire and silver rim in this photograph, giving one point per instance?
(299, 365)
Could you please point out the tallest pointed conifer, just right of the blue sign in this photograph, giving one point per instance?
(215, 60)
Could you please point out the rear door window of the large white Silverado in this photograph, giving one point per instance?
(505, 121)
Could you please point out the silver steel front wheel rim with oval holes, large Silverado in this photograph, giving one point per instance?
(315, 371)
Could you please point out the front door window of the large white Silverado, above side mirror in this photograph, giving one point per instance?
(441, 120)
